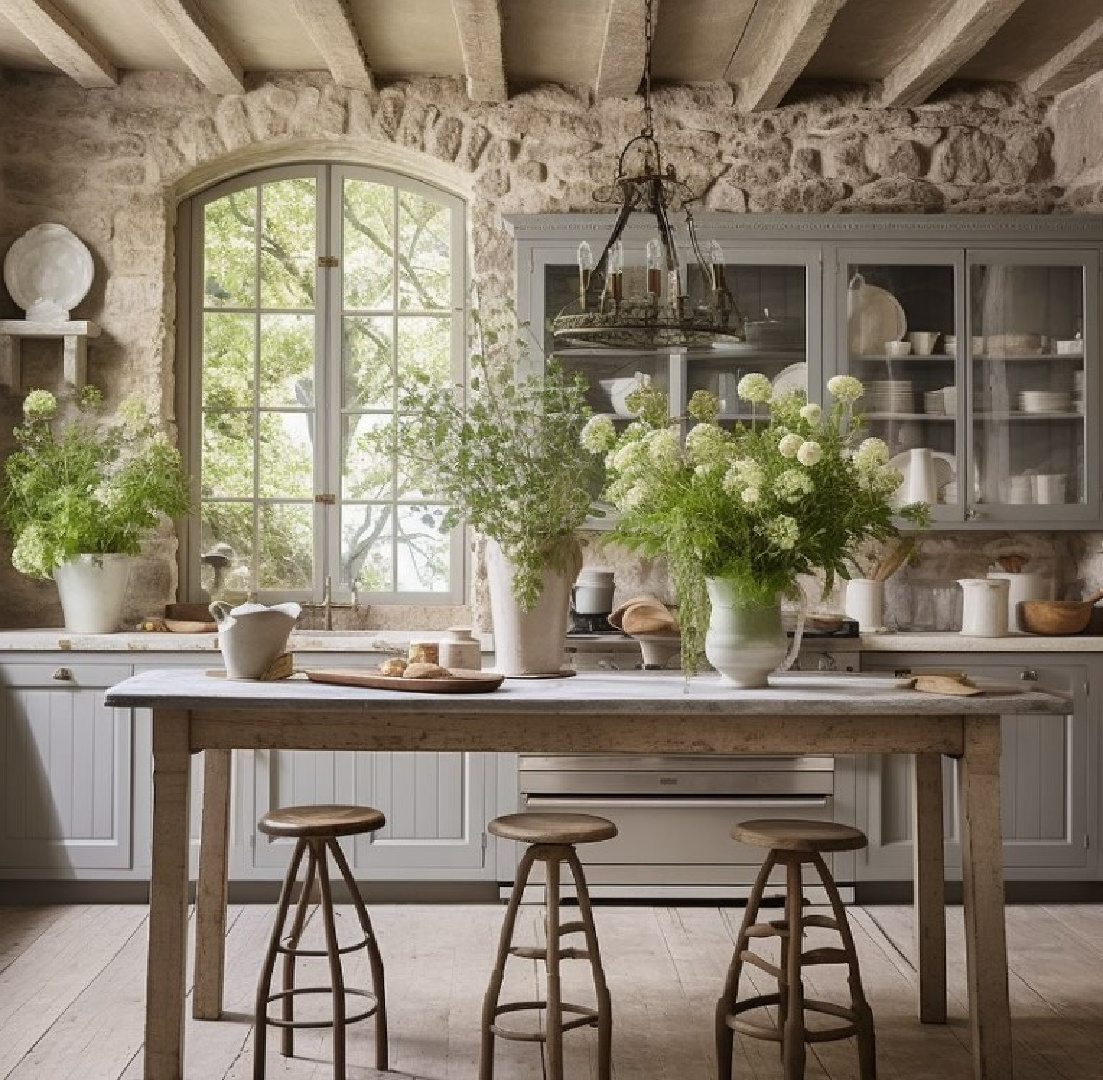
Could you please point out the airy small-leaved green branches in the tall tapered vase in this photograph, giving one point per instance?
(509, 461)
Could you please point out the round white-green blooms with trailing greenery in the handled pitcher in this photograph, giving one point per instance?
(757, 505)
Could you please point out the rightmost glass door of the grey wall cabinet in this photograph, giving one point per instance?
(1031, 325)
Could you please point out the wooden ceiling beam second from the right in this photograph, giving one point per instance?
(949, 44)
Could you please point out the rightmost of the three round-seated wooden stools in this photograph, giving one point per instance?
(795, 843)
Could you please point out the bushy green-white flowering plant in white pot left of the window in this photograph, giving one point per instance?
(81, 496)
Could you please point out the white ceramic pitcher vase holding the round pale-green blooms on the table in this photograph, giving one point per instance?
(745, 641)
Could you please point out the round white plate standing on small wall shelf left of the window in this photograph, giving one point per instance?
(48, 272)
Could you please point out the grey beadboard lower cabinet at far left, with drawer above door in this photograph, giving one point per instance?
(67, 771)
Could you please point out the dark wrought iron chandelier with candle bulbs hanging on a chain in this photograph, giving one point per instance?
(663, 317)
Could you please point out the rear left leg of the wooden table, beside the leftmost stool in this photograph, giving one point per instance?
(211, 891)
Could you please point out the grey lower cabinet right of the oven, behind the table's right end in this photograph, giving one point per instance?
(1048, 780)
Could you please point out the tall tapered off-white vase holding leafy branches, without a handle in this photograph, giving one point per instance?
(530, 643)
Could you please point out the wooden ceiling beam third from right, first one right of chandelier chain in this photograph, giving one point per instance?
(788, 36)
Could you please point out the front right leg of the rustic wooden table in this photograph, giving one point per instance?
(983, 881)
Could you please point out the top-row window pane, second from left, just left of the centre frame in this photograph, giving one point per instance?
(288, 245)
